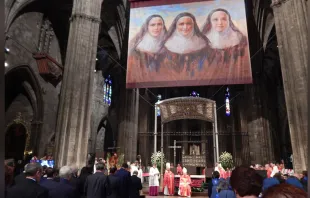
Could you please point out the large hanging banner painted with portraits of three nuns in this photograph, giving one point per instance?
(188, 43)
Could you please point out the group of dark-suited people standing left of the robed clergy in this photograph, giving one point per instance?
(46, 182)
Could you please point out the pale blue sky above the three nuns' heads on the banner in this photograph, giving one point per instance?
(199, 9)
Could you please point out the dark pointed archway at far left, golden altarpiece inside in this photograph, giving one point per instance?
(23, 96)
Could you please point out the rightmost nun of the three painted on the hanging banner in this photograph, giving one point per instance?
(226, 39)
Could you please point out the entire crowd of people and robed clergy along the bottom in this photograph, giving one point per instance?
(126, 181)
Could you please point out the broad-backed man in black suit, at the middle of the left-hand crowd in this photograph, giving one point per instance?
(97, 185)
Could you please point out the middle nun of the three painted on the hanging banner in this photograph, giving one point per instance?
(185, 47)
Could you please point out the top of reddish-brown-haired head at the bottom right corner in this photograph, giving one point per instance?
(284, 190)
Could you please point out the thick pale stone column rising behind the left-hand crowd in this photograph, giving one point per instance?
(75, 105)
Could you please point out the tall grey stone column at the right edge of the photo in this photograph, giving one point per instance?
(292, 34)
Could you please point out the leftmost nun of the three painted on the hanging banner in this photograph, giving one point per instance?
(145, 52)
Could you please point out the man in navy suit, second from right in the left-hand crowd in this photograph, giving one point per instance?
(124, 176)
